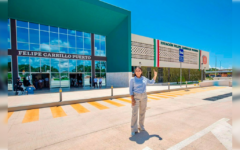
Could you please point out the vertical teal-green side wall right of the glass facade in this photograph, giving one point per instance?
(119, 48)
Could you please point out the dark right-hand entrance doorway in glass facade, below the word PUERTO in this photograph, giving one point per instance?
(76, 80)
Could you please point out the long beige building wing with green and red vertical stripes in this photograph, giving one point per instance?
(163, 57)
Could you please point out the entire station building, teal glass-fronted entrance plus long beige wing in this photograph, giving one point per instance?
(64, 43)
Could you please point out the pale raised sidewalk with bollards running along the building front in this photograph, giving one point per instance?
(27, 100)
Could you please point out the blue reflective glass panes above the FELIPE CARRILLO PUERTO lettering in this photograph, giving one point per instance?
(53, 39)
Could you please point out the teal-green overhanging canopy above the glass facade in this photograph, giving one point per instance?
(84, 15)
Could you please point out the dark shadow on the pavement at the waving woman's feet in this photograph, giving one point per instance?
(143, 136)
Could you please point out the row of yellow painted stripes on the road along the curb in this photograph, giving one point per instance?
(33, 114)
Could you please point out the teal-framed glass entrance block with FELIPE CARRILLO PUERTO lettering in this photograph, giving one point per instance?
(67, 42)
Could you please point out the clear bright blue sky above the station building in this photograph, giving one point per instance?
(204, 25)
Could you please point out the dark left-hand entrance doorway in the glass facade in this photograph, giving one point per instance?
(41, 80)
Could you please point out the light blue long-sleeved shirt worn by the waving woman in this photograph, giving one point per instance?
(138, 85)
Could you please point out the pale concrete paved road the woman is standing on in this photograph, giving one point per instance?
(196, 119)
